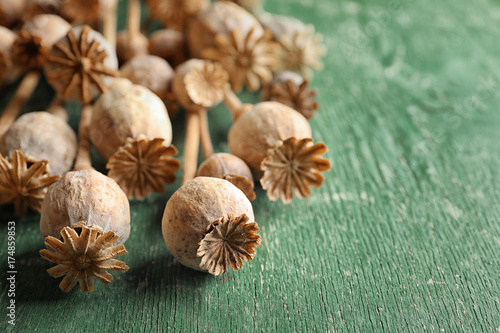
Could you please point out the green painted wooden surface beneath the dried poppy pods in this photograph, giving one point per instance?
(403, 236)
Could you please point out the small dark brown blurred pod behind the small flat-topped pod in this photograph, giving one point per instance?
(170, 45)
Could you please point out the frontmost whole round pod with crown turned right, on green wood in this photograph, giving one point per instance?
(208, 226)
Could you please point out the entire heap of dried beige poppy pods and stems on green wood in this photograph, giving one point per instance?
(130, 85)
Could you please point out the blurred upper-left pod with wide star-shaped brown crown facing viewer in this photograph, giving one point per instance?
(81, 65)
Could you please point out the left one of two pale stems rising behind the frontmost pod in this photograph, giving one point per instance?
(191, 146)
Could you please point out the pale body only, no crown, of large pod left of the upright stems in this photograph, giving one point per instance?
(126, 111)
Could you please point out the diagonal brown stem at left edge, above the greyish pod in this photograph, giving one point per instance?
(23, 92)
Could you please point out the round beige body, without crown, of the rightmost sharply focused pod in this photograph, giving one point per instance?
(264, 127)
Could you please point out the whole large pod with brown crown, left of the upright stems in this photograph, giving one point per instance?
(130, 128)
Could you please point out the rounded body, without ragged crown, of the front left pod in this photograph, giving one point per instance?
(88, 196)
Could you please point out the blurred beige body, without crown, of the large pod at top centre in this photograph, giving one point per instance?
(220, 18)
